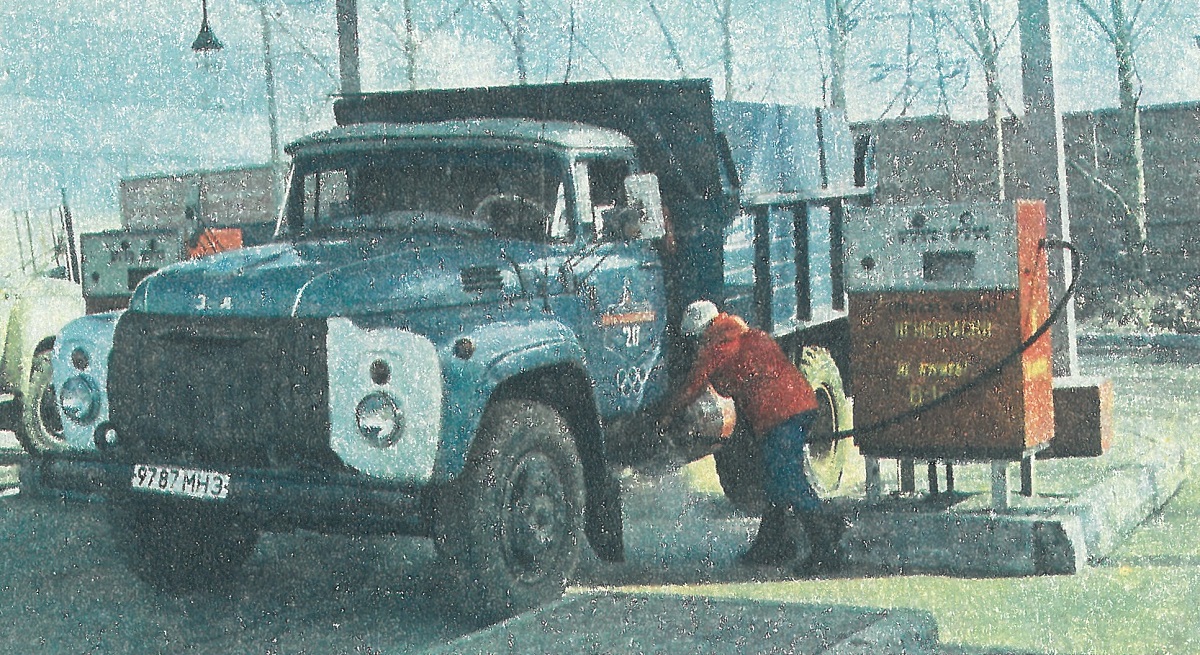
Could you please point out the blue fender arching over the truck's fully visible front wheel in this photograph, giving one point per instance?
(478, 362)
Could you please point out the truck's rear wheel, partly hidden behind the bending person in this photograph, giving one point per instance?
(835, 467)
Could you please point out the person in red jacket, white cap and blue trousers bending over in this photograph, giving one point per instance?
(781, 406)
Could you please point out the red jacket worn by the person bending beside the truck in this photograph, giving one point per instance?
(748, 366)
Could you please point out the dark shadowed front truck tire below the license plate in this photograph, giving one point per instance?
(179, 546)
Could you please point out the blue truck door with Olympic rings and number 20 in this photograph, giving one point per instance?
(615, 287)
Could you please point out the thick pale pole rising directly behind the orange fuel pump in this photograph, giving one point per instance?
(1041, 163)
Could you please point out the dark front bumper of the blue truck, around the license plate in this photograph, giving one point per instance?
(274, 501)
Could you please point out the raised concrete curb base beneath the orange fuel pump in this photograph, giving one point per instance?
(909, 536)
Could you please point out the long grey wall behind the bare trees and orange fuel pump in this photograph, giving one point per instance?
(935, 160)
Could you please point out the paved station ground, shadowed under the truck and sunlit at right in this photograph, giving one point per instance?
(65, 591)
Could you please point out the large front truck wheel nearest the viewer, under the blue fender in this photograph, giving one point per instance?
(509, 526)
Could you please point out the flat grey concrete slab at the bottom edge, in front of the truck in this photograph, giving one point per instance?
(644, 623)
